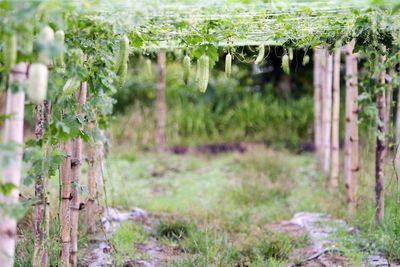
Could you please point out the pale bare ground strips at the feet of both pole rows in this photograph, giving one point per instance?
(322, 251)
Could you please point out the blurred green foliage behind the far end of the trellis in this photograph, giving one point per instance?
(257, 104)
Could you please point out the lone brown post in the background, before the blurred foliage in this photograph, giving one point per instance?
(161, 105)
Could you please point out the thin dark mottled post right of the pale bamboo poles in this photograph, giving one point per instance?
(380, 148)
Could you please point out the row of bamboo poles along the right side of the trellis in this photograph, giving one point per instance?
(327, 118)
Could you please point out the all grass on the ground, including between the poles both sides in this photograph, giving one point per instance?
(220, 207)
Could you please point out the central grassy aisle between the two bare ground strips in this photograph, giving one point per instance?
(221, 202)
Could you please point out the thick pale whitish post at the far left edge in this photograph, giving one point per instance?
(13, 132)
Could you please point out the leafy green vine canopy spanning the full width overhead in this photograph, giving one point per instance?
(205, 26)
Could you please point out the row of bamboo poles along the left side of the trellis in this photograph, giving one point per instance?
(70, 181)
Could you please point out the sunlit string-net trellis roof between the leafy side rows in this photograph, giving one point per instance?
(172, 24)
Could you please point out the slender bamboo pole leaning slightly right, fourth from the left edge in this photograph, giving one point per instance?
(76, 173)
